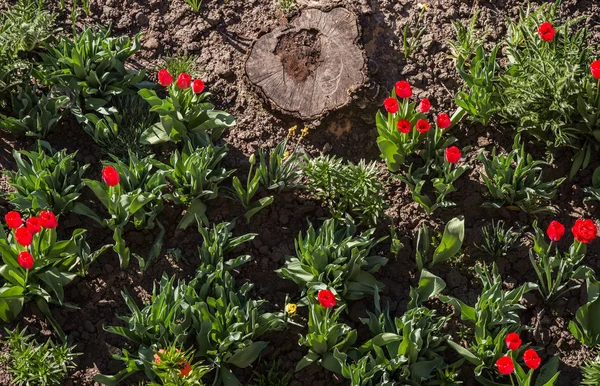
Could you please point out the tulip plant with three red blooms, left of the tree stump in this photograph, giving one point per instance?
(185, 111)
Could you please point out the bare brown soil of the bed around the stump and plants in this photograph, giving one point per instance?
(222, 34)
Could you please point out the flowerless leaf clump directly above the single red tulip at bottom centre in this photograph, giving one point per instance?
(334, 256)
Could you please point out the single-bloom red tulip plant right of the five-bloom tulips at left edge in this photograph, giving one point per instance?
(130, 192)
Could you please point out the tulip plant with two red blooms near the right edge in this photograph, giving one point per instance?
(558, 271)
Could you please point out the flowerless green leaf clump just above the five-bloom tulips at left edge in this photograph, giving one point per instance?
(45, 179)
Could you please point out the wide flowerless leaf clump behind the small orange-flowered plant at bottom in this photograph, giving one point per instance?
(221, 319)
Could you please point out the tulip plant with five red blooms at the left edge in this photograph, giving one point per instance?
(35, 266)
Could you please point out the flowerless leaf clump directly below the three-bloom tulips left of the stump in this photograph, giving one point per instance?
(196, 175)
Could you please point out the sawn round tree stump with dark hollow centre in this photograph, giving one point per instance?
(311, 65)
